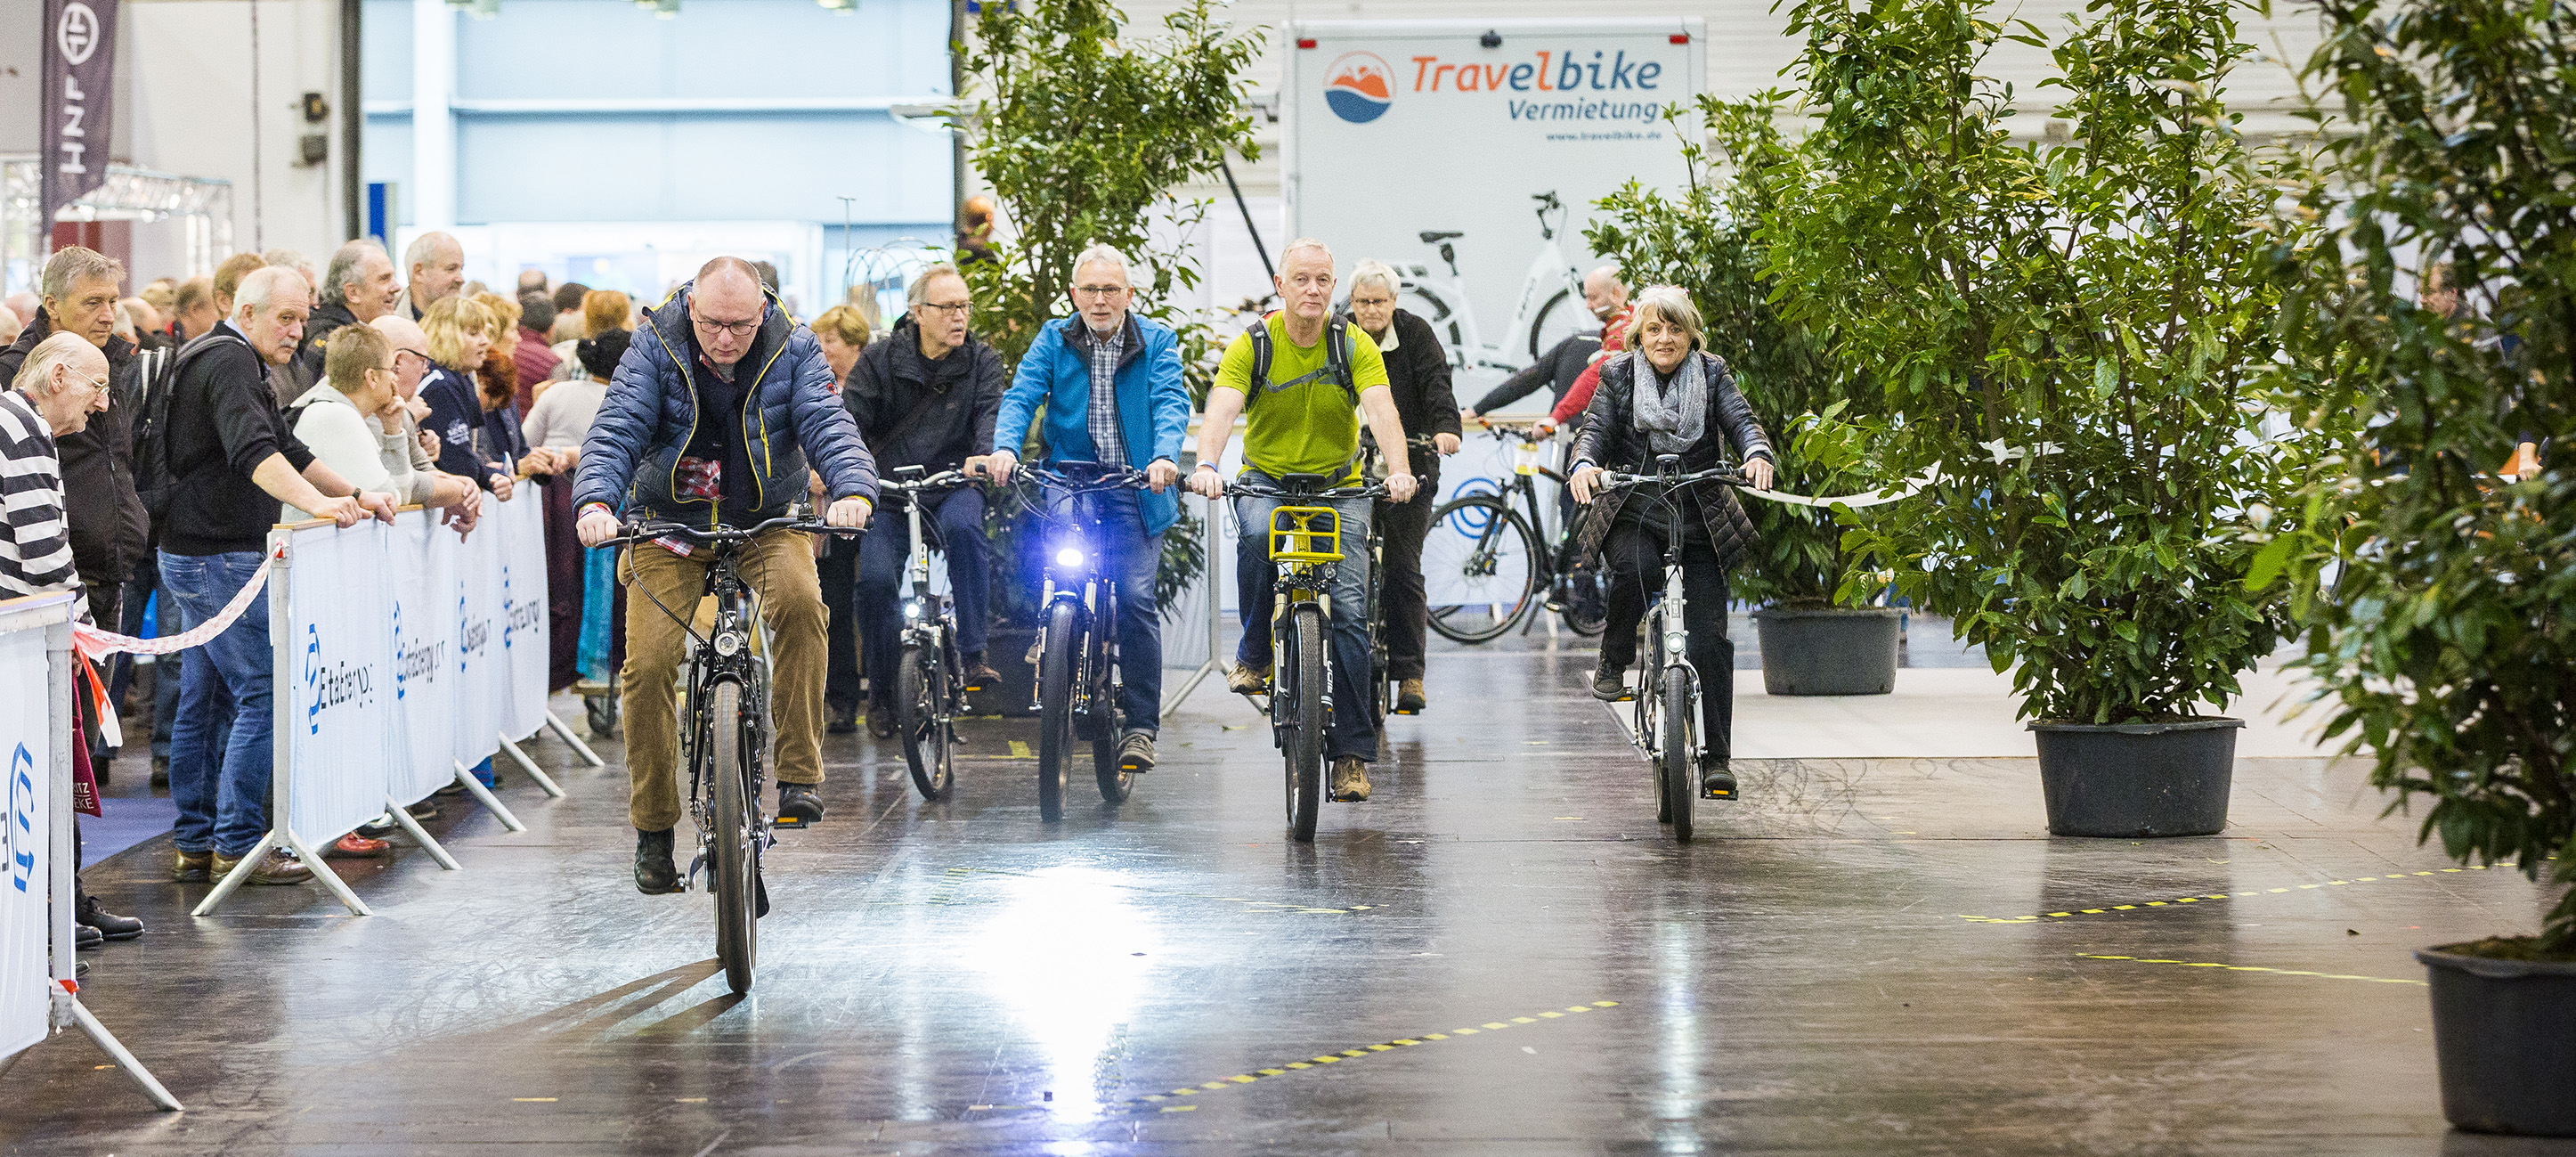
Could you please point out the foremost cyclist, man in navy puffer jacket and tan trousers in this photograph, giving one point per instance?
(710, 421)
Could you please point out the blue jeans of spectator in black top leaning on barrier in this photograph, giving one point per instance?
(220, 743)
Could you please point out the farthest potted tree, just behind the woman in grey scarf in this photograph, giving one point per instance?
(1704, 241)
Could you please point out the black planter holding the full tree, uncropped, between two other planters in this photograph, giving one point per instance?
(2137, 779)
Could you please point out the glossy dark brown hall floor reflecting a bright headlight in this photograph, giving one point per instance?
(1498, 955)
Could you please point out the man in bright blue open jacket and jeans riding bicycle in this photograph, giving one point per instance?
(1114, 396)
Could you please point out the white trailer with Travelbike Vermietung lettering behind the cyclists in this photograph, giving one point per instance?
(1470, 153)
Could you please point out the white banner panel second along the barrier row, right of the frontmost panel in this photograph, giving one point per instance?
(421, 571)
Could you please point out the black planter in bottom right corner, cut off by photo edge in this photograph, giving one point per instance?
(2505, 1037)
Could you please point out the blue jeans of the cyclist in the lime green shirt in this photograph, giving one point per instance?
(1351, 733)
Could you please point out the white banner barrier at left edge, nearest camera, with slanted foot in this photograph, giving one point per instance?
(37, 978)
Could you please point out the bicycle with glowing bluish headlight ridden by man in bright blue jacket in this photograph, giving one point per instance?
(1078, 635)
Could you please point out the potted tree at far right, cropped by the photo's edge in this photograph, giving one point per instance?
(2441, 560)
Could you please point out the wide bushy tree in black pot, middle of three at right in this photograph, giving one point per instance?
(2072, 336)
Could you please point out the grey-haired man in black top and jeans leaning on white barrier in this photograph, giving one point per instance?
(215, 463)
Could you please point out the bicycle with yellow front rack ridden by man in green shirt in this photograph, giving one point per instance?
(1307, 550)
